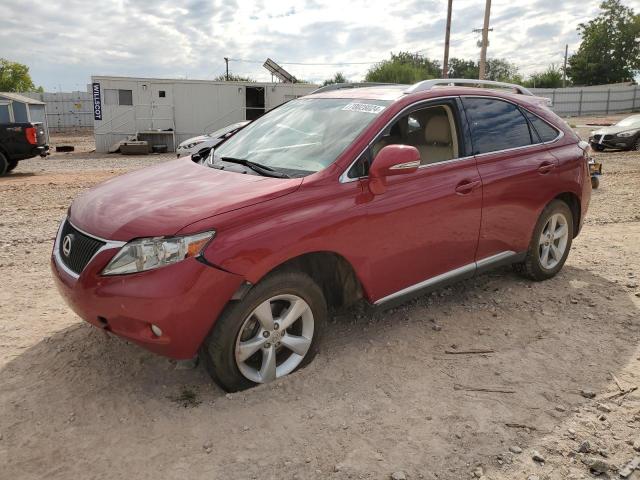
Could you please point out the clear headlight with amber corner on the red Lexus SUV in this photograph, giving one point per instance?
(150, 253)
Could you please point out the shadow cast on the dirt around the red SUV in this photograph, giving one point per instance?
(383, 394)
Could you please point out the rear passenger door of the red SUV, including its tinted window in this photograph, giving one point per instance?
(517, 174)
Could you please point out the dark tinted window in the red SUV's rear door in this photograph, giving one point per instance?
(496, 125)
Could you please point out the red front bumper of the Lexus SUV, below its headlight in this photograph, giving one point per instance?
(184, 300)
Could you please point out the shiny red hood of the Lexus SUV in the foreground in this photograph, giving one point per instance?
(161, 200)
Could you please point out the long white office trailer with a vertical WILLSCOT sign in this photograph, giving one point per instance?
(168, 111)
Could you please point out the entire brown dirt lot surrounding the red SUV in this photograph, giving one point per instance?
(383, 397)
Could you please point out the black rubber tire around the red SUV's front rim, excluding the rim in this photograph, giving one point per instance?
(217, 352)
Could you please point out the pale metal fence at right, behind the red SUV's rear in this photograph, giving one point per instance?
(597, 100)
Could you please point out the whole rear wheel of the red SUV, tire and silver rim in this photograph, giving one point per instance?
(550, 244)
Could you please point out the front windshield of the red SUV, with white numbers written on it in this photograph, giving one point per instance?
(304, 135)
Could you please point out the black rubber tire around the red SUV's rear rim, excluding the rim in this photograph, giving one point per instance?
(532, 267)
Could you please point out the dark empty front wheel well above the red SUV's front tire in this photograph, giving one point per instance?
(334, 274)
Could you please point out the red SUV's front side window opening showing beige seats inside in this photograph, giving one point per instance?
(431, 130)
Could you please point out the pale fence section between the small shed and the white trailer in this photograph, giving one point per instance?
(66, 110)
